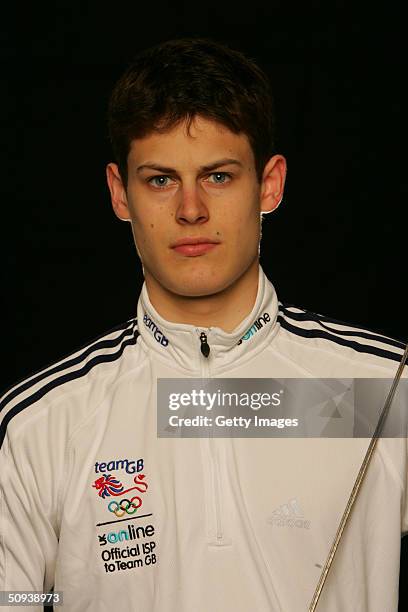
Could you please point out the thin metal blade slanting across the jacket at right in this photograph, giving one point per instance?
(358, 482)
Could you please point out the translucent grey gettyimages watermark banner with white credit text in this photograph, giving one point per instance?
(264, 407)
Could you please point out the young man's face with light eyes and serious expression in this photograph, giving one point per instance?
(188, 187)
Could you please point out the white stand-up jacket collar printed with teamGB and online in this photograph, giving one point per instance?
(179, 343)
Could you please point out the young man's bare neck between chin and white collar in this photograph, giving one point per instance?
(225, 309)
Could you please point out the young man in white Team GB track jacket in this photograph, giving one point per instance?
(94, 503)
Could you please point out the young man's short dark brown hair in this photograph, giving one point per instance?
(178, 79)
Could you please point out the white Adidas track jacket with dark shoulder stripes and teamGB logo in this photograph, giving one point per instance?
(94, 504)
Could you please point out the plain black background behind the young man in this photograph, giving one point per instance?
(337, 243)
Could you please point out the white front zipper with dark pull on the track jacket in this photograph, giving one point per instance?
(215, 480)
